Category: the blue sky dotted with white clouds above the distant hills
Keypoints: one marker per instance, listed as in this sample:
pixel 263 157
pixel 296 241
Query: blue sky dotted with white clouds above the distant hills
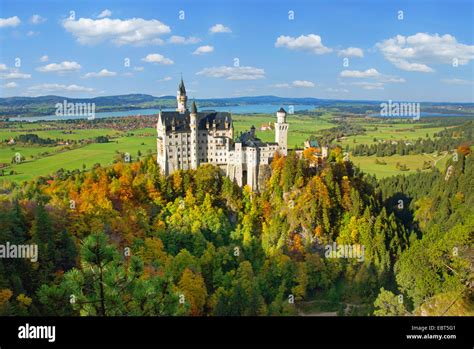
pixel 327 49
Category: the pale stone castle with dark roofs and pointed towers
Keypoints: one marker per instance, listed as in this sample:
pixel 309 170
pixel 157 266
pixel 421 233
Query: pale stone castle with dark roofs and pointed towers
pixel 188 138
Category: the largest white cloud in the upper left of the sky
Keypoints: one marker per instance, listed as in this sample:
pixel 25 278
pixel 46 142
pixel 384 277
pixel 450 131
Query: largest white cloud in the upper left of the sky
pixel 135 31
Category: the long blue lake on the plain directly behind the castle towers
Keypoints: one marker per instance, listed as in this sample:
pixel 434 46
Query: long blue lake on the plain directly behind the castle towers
pixel 236 109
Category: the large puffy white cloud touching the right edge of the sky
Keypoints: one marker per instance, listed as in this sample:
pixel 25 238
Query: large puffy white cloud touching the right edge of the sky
pixel 417 52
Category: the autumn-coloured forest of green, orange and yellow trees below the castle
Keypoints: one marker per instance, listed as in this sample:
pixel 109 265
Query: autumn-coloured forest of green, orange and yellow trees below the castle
pixel 194 243
